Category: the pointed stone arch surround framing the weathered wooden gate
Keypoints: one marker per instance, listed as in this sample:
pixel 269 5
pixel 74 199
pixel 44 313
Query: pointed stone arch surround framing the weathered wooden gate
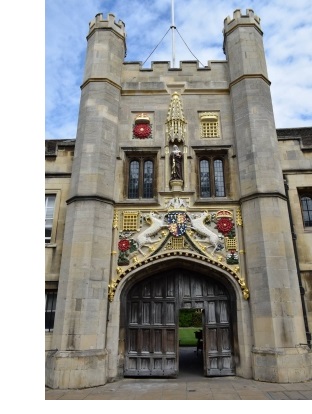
pixel 240 318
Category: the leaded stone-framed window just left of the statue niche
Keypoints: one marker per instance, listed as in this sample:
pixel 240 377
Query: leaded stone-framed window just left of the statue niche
pixel 141 181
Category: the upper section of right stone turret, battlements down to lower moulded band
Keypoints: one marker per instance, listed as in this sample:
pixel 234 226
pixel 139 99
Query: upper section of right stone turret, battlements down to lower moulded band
pixel 252 105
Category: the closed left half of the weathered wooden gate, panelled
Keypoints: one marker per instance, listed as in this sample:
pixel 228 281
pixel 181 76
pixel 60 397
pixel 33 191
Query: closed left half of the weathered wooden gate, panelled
pixel 151 329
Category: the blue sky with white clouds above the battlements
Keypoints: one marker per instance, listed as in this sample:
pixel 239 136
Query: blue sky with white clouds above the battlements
pixel 287 40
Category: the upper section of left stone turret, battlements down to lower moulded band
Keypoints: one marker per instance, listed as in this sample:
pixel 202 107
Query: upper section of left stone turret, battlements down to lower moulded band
pixel 98 115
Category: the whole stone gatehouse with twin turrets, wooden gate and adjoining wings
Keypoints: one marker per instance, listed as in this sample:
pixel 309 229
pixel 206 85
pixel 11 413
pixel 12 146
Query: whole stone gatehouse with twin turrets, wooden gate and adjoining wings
pixel 178 193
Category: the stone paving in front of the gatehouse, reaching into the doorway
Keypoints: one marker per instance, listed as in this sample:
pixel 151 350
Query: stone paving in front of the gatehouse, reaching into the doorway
pixel 190 385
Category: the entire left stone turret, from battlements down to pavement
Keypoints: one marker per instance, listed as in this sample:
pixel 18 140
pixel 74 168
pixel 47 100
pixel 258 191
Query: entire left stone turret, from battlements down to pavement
pixel 82 301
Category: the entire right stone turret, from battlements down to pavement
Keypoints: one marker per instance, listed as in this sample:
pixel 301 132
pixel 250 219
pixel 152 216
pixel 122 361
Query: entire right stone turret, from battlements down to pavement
pixel 276 311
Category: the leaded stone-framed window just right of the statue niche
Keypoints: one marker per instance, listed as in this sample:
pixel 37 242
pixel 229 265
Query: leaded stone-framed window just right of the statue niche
pixel 211 177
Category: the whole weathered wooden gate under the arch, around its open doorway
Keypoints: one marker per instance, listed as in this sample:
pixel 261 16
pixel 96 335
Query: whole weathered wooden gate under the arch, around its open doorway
pixel 152 345
